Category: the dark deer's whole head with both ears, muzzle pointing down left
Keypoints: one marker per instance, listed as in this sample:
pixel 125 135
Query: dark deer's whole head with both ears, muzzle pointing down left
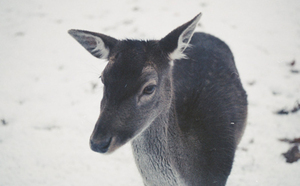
pixel 137 82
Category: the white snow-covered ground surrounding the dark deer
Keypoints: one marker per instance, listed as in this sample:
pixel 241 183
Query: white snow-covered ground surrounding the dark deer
pixel 50 91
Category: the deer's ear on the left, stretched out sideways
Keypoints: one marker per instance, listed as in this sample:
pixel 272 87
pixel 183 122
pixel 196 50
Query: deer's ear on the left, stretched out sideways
pixel 99 45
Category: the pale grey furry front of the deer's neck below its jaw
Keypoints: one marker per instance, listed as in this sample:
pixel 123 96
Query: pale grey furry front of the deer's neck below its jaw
pixel 152 151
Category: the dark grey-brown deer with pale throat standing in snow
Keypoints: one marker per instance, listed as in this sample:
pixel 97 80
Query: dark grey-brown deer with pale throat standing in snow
pixel 178 100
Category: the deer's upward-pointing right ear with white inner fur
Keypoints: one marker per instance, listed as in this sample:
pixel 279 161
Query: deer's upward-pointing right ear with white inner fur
pixel 178 40
